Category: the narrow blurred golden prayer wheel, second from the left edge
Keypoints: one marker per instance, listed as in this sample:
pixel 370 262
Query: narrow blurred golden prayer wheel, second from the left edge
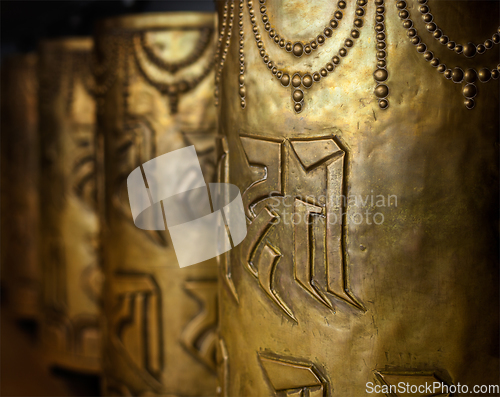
pixel 69 223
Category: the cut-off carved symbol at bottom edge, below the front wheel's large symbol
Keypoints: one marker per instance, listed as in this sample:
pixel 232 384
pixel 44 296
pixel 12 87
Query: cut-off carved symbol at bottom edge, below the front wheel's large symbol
pixel 292 378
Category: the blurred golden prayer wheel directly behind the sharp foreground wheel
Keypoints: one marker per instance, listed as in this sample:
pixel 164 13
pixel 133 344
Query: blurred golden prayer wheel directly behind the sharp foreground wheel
pixel 155 84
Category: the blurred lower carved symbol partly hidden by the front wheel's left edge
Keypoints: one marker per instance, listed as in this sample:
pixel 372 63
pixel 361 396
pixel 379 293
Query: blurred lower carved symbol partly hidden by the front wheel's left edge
pixel 199 336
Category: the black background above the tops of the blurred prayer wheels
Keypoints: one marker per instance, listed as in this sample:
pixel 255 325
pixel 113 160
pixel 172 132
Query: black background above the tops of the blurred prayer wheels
pixel 24 23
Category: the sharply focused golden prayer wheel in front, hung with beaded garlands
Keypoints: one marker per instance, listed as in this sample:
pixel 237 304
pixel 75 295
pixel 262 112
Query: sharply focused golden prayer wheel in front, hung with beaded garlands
pixel 363 136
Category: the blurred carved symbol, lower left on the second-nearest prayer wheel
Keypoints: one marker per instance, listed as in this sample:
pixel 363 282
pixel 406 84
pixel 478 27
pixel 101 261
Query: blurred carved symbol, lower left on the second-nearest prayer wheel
pixel 136 325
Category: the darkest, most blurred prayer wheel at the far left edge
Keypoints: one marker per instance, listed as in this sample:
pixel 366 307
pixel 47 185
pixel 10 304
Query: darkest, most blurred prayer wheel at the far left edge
pixel 20 265
